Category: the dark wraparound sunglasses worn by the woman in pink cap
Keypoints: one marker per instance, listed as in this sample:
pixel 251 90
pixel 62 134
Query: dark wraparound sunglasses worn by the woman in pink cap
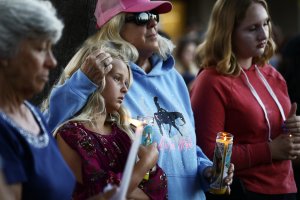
pixel 142 18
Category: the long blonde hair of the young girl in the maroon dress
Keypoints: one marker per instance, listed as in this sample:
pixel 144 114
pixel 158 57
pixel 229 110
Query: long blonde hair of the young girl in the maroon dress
pixel 95 104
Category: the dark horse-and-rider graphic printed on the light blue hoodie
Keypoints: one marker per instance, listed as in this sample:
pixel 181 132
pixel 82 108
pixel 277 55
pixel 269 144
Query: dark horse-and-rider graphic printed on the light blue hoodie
pixel 169 118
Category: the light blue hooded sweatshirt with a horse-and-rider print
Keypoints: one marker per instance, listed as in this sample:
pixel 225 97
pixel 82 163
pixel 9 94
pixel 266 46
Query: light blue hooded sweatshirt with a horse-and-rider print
pixel 163 95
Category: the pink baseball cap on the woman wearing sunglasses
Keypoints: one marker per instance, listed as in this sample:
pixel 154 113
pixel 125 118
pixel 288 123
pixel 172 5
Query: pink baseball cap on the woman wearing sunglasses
pixel 107 9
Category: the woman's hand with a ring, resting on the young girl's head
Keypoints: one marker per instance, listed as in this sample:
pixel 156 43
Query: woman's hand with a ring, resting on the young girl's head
pixel 96 66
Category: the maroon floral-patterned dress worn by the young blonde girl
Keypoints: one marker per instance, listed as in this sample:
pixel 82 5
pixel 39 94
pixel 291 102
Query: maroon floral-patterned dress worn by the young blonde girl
pixel 103 161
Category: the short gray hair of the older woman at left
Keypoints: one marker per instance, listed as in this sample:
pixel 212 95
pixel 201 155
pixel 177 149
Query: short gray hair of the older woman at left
pixel 26 19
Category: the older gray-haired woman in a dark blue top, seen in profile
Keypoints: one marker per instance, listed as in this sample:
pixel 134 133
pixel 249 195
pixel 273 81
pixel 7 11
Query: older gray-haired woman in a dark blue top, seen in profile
pixel 32 164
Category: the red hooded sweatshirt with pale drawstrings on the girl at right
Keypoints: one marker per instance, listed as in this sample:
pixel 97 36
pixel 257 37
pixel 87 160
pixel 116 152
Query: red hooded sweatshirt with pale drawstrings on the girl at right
pixel 225 103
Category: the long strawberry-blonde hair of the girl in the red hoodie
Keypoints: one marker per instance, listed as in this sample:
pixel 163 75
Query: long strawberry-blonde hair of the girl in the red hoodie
pixel 216 50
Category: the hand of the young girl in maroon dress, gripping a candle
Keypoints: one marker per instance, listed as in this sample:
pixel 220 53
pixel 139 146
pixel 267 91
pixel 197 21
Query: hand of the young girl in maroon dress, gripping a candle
pixel 148 155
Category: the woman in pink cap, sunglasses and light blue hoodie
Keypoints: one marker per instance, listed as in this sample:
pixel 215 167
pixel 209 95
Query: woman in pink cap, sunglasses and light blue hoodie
pixel 158 90
